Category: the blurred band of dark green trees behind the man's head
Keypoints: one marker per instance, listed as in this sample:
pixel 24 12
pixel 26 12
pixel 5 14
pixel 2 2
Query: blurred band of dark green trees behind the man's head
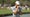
pixel 12 2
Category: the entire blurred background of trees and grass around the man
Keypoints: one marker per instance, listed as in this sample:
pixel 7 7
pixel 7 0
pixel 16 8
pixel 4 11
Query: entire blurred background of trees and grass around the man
pixel 6 4
